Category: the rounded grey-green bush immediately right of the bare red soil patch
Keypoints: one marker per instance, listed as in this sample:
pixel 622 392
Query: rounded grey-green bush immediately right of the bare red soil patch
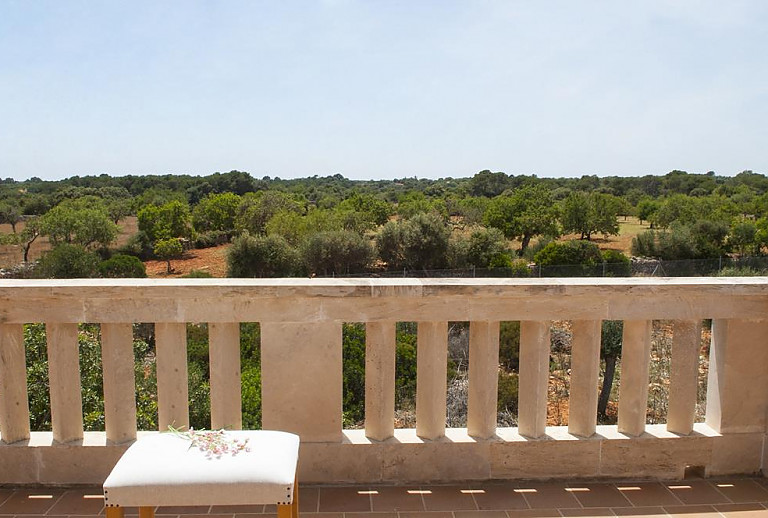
pixel 269 256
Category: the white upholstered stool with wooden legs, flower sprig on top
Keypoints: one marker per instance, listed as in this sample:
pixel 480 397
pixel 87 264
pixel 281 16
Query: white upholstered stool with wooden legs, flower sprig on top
pixel 165 470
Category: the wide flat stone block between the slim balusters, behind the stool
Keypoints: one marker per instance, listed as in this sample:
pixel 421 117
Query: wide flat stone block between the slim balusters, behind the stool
pixel 301 379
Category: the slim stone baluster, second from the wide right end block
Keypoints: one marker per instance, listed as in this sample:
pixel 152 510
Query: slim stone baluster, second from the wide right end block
pixel 633 387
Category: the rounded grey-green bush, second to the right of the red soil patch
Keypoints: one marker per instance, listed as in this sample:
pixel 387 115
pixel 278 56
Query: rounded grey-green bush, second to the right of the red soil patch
pixel 338 252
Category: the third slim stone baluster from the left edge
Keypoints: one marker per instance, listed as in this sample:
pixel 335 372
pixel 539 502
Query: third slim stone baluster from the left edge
pixel 119 382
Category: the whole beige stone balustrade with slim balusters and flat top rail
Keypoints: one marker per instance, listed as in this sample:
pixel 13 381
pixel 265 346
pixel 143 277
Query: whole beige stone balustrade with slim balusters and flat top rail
pixel 301 347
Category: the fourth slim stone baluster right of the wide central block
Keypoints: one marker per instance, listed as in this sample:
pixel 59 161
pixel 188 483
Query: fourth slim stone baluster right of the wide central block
pixel 534 378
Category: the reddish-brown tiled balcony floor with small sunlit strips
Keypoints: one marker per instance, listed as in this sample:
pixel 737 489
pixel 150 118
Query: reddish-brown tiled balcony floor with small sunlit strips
pixel 729 498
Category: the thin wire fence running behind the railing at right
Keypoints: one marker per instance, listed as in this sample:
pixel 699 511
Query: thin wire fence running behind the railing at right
pixel 635 268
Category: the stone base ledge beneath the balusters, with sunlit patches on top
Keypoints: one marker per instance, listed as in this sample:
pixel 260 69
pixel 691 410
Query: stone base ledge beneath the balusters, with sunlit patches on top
pixel 406 458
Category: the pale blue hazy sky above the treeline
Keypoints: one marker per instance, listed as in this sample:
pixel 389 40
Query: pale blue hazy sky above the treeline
pixel 382 89
